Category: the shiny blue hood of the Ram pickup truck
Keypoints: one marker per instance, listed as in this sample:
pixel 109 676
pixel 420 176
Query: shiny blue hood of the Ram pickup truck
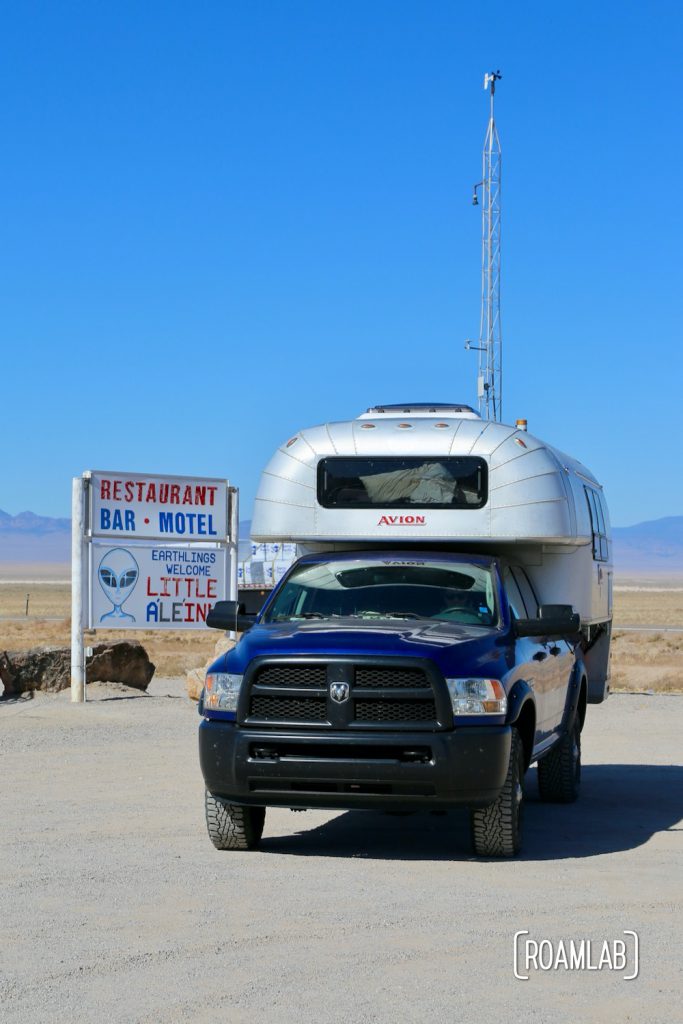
pixel 454 648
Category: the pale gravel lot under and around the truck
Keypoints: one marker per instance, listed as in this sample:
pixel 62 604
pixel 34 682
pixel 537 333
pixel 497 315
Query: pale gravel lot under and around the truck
pixel 115 907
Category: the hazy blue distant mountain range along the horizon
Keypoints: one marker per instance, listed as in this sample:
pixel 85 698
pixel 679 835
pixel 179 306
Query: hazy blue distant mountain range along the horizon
pixel 649 547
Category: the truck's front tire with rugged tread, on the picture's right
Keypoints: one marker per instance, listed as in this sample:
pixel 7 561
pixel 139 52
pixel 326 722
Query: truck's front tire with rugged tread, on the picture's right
pixel 496 830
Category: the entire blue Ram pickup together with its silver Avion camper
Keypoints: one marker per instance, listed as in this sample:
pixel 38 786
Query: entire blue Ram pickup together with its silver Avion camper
pixel 445 628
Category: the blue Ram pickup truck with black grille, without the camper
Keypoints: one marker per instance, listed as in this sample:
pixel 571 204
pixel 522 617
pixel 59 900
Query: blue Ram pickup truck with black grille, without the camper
pixel 403 680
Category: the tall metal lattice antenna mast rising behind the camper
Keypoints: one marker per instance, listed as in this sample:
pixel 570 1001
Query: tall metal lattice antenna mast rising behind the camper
pixel 490 378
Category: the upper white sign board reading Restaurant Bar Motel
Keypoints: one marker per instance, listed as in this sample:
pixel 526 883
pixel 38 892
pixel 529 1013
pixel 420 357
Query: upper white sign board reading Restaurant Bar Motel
pixel 137 505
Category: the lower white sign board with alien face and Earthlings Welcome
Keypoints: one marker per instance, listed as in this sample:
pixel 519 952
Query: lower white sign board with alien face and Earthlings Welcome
pixel 154 586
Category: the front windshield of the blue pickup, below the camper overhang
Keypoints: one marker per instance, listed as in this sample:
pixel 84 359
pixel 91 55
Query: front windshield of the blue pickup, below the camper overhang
pixel 373 589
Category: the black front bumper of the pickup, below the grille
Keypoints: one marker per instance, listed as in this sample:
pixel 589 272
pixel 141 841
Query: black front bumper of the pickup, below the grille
pixel 288 769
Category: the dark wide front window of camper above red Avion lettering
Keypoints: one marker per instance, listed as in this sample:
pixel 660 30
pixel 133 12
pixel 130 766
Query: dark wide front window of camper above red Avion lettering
pixel 397 482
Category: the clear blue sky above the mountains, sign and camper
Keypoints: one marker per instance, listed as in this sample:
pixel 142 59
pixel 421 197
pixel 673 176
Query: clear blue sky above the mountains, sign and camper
pixel 225 222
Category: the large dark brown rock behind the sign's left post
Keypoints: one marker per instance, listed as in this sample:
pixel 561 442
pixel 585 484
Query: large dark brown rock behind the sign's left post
pixel 50 668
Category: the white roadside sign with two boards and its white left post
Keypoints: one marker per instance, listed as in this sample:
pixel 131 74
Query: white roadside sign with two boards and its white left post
pixel 149 552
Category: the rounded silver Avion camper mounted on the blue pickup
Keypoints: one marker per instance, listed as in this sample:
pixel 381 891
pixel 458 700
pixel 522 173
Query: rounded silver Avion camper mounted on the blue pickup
pixel 439 476
